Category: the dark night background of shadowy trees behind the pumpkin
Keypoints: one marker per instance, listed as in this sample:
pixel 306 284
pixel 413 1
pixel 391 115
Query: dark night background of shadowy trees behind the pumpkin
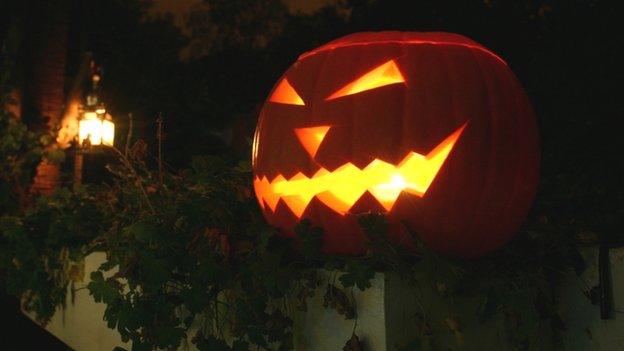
pixel 209 76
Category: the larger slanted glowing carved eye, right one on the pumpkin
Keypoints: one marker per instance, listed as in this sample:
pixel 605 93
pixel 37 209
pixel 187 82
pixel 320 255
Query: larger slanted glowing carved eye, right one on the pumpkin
pixel 386 74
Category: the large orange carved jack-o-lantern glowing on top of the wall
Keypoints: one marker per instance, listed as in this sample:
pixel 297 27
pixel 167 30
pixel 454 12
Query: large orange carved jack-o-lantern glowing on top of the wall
pixel 432 129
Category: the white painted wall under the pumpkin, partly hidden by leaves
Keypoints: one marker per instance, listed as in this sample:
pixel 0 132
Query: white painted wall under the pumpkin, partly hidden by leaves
pixel 386 315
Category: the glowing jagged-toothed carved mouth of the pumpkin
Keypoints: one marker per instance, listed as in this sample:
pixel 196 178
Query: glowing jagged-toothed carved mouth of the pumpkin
pixel 341 189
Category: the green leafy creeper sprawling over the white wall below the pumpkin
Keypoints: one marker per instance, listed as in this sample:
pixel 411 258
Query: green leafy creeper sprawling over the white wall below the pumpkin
pixel 192 259
